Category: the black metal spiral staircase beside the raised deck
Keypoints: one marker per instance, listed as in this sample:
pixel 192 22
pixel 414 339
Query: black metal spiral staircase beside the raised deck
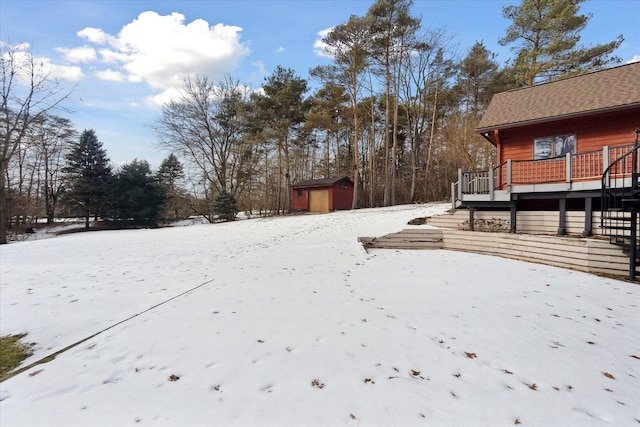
pixel 620 205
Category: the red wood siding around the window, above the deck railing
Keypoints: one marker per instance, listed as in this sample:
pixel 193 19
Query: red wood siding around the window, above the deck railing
pixel 592 133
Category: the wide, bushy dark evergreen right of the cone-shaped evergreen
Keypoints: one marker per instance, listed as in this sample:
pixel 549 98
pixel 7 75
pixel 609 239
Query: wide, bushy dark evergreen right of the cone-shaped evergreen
pixel 135 194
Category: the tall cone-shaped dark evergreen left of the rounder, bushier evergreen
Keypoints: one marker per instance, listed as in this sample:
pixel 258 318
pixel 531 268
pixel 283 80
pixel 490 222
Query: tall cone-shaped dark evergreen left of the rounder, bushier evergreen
pixel 88 174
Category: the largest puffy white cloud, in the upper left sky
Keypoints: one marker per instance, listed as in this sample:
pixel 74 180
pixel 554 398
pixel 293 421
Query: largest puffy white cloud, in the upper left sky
pixel 162 50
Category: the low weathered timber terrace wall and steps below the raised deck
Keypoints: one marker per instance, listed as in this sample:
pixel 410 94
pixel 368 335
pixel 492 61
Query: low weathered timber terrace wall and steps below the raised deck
pixel 583 254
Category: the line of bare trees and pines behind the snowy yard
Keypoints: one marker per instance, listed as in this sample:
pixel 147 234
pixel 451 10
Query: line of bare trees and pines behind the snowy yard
pixel 395 110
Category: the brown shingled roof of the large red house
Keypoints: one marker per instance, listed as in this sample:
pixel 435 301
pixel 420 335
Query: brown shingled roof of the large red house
pixel 600 91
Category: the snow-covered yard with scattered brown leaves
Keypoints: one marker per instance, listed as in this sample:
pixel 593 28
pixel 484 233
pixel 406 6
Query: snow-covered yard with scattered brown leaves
pixel 289 321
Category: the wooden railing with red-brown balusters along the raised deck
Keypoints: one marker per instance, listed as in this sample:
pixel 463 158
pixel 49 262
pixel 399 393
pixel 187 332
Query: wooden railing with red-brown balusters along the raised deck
pixel 587 166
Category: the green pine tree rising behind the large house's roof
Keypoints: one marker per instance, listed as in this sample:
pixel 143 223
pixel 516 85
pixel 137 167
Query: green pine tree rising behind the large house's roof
pixel 545 34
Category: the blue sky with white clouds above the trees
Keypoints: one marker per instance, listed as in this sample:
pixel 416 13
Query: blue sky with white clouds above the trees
pixel 126 57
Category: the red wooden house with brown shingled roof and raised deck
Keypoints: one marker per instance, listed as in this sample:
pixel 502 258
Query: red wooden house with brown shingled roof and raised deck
pixel 564 146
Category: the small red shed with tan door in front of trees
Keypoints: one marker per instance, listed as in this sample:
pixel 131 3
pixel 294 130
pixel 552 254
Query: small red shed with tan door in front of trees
pixel 322 195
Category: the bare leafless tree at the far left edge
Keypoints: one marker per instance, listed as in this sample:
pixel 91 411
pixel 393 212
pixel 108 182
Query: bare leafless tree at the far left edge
pixel 28 92
